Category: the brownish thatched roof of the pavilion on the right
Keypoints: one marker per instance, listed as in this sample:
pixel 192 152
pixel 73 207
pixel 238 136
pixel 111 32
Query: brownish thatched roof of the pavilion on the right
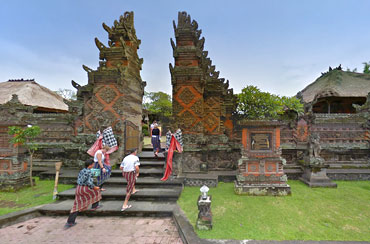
pixel 337 83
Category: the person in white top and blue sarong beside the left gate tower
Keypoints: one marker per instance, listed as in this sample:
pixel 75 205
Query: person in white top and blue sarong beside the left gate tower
pixel 105 168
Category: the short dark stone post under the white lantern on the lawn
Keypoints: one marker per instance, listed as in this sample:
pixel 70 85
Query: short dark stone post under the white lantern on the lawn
pixel 204 221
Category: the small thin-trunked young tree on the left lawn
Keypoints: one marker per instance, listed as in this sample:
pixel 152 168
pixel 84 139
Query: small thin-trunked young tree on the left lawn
pixel 26 138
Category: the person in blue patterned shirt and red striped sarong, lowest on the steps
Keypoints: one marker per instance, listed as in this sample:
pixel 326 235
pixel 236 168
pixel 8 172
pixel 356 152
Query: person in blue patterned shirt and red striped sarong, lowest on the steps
pixel 86 193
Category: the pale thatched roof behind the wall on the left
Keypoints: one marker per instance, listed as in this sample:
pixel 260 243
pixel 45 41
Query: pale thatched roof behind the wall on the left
pixel 32 94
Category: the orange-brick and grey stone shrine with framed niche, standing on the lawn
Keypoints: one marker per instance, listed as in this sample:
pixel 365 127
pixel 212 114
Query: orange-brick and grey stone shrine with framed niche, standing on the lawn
pixel 260 169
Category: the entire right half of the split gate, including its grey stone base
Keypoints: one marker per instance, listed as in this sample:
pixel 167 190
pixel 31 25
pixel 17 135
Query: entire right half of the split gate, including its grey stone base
pixel 202 103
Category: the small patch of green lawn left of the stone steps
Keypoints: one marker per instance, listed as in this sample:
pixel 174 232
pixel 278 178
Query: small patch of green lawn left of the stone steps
pixel 27 198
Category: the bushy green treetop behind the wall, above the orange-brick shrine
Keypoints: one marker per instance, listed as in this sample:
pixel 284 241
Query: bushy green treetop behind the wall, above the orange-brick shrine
pixel 255 104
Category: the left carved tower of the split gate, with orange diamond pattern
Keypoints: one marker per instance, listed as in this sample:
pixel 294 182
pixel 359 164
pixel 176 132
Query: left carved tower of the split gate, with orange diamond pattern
pixel 113 95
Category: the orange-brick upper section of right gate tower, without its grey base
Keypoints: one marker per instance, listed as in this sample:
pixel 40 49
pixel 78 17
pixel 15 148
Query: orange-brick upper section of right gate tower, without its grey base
pixel 202 102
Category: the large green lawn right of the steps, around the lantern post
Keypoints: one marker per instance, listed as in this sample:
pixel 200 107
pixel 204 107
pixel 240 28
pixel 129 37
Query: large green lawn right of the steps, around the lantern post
pixel 309 214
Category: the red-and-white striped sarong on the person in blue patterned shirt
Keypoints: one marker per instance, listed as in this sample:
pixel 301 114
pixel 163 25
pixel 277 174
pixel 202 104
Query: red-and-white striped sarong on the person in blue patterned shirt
pixel 84 196
